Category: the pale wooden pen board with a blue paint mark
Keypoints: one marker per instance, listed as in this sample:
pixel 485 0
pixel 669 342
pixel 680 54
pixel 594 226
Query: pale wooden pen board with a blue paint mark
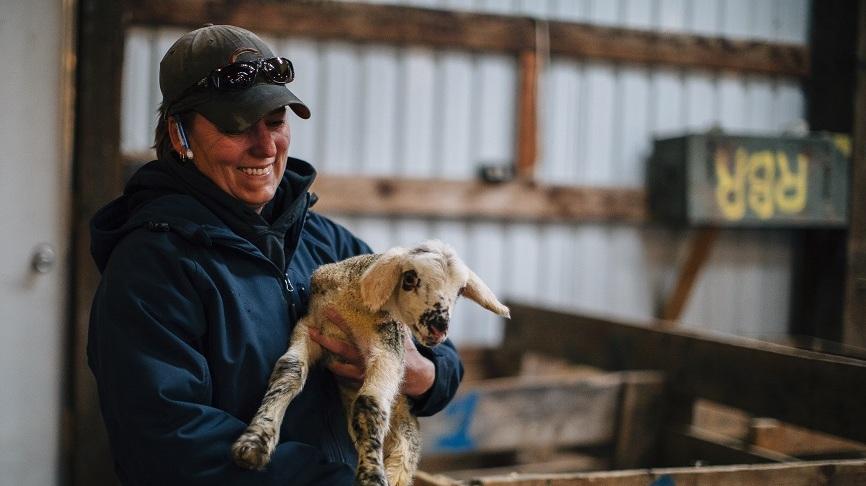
pixel 515 413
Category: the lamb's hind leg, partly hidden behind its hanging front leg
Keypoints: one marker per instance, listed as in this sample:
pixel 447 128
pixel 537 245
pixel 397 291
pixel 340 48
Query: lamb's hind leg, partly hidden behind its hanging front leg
pixel 402 445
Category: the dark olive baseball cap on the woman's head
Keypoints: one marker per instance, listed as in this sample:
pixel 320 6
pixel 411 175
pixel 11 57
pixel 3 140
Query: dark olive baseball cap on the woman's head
pixel 196 54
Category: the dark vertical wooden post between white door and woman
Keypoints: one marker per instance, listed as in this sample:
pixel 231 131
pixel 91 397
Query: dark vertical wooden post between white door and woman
pixel 97 180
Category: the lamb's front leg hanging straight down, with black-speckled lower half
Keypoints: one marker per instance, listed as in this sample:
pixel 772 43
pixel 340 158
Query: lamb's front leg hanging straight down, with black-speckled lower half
pixel 371 410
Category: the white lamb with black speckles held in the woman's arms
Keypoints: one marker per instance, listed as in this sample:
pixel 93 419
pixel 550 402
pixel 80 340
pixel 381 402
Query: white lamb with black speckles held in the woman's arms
pixel 383 296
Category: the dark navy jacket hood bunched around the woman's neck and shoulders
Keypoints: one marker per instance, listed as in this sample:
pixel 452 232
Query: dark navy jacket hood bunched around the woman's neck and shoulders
pixel 165 194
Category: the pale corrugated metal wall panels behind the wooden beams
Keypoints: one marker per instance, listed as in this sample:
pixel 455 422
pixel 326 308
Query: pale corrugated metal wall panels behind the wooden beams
pixel 419 112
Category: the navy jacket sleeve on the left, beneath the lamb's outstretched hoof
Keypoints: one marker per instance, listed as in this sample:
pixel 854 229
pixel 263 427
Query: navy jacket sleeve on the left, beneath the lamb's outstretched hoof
pixel 155 387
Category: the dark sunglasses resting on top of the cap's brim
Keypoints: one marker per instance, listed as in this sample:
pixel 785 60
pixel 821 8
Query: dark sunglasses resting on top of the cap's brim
pixel 243 74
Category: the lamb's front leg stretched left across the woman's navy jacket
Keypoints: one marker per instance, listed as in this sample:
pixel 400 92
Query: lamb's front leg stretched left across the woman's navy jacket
pixel 254 448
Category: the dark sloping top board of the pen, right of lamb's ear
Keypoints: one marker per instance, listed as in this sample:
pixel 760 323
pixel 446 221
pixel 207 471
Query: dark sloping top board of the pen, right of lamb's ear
pixel 814 390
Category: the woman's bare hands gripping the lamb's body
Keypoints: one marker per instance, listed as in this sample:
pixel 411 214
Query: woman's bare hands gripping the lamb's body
pixel 349 368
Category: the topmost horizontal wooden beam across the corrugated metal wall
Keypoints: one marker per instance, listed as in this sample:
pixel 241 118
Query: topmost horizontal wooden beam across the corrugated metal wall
pixel 473 31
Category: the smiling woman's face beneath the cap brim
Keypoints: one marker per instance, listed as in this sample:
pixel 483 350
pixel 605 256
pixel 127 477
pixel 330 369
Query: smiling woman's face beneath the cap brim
pixel 248 165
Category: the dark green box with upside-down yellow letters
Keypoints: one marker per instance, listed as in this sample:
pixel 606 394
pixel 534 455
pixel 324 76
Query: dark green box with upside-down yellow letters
pixel 748 181
